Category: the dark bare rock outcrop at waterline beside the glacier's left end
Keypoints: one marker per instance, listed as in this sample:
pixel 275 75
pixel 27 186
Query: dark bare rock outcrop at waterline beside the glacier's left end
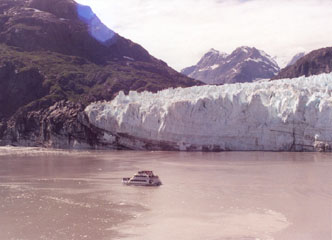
pixel 63 125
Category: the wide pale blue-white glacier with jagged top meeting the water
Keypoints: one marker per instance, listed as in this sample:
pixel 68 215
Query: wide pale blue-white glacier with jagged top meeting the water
pixel 283 115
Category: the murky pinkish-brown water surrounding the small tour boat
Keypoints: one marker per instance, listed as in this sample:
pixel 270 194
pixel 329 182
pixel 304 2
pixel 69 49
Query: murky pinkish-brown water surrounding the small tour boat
pixel 49 194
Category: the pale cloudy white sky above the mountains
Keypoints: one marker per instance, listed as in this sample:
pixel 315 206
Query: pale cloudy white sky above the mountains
pixel 180 31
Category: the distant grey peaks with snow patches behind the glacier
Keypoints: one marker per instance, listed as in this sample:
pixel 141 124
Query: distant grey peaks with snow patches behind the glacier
pixel 244 64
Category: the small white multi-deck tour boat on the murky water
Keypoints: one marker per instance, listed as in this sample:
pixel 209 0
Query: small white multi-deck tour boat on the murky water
pixel 143 178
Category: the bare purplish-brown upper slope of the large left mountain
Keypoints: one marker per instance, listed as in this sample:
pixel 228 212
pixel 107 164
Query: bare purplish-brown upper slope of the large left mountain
pixel 64 27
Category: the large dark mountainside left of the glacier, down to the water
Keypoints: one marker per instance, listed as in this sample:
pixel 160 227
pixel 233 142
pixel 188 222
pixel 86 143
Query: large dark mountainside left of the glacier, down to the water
pixel 56 58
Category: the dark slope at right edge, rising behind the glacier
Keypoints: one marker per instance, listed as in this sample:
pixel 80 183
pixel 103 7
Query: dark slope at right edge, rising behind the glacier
pixel 314 63
